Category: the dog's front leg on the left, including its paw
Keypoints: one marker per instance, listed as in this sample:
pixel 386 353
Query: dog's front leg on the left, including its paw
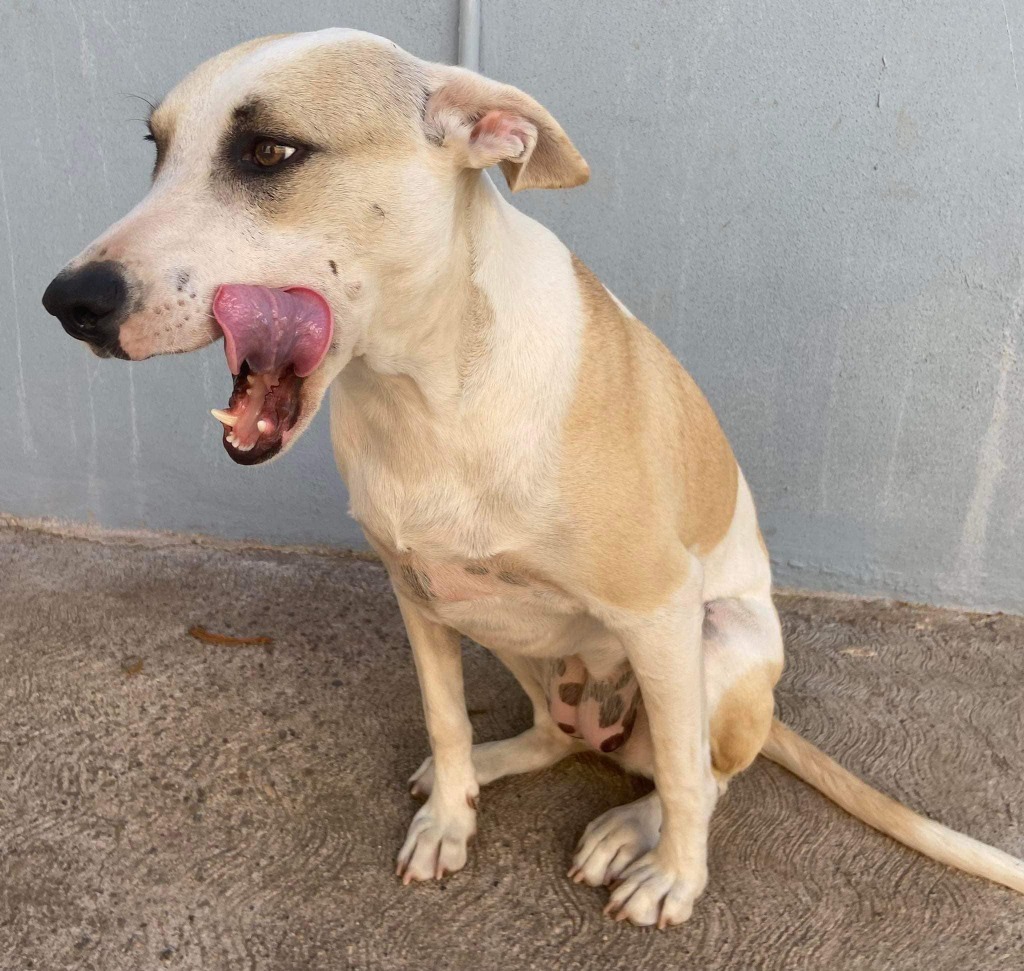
pixel 443 827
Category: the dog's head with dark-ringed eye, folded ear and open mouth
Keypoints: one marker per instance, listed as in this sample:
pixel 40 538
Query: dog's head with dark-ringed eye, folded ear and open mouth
pixel 303 186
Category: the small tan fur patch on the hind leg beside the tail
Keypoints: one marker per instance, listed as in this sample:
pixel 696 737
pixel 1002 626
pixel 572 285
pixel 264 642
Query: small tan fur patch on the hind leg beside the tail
pixel 743 720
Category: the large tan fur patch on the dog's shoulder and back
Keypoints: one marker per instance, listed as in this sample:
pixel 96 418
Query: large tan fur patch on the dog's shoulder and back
pixel 648 470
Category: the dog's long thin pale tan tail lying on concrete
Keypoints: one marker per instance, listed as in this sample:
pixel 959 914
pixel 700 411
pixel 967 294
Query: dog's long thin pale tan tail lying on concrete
pixel 948 847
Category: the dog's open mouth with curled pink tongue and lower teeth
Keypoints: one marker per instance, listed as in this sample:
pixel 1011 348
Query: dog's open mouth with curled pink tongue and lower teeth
pixel 274 340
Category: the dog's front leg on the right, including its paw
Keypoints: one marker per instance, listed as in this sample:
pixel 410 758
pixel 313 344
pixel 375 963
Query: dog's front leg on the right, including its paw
pixel 665 652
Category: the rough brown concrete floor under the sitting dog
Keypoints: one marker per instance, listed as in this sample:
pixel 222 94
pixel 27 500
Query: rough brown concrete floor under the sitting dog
pixel 166 804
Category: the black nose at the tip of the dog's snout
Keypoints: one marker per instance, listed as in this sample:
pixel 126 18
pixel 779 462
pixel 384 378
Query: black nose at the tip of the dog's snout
pixel 91 303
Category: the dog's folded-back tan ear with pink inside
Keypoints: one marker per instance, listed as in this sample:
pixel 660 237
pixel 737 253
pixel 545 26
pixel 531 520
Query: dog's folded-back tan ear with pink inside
pixel 485 123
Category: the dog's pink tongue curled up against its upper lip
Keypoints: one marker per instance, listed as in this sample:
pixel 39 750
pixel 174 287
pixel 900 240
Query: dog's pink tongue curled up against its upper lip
pixel 273 328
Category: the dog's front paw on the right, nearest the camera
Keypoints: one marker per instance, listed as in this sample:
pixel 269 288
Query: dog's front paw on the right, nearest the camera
pixel 653 893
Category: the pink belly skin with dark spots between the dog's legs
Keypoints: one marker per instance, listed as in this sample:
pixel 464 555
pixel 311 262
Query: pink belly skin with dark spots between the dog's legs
pixel 601 712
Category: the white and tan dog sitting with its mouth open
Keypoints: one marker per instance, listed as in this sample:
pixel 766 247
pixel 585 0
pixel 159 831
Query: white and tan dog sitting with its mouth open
pixel 534 468
